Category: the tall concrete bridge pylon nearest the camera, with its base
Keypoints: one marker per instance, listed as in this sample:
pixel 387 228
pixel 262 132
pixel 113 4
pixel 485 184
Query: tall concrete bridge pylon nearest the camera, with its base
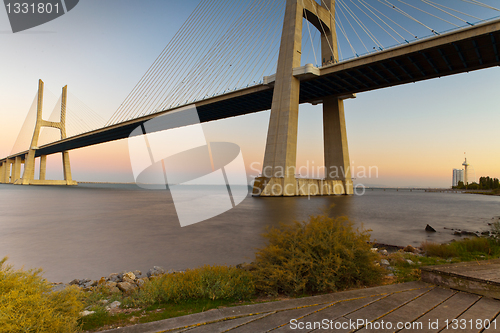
pixel 279 168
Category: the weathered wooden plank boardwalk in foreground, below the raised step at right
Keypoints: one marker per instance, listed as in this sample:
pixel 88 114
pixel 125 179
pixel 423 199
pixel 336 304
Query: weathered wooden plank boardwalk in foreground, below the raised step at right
pixel 407 307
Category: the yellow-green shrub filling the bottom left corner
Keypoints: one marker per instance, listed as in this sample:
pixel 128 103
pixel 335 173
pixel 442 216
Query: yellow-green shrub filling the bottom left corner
pixel 28 305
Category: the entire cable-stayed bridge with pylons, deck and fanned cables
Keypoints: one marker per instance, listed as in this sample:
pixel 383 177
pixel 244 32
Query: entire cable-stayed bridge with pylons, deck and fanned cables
pixel 347 55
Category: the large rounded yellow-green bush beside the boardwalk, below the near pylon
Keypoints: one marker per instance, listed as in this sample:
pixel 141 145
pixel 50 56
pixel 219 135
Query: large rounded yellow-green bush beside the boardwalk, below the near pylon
pixel 323 255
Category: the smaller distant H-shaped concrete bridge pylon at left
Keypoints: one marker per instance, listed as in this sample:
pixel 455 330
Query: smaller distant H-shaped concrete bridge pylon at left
pixel 28 177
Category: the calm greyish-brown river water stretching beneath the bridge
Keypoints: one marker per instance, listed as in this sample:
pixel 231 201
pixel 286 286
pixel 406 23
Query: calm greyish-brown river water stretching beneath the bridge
pixel 91 231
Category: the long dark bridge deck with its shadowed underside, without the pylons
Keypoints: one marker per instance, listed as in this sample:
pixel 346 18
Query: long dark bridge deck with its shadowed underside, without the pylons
pixel 461 51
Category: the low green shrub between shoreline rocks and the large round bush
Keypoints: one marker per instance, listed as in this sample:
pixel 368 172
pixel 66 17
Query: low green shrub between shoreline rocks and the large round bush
pixel 207 282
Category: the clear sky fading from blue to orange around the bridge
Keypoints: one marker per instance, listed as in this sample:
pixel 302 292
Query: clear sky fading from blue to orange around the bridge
pixel 413 134
